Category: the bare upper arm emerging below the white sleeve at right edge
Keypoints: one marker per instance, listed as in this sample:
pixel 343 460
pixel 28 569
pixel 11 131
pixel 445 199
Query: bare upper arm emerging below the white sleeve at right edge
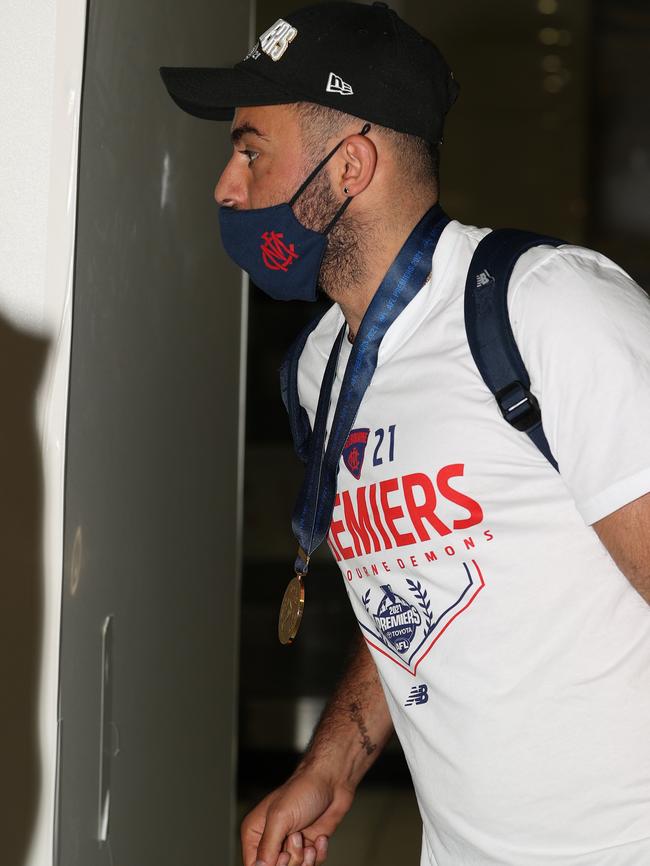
pixel 626 535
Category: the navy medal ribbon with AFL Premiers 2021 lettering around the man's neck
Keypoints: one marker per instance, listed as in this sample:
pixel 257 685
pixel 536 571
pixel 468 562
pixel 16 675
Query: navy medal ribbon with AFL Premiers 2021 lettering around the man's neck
pixel 408 273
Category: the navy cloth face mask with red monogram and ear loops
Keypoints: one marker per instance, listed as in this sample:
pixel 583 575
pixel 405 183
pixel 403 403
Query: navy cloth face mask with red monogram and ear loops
pixel 279 254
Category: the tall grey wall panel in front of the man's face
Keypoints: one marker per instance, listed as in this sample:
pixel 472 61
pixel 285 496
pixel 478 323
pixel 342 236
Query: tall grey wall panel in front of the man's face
pixel 151 499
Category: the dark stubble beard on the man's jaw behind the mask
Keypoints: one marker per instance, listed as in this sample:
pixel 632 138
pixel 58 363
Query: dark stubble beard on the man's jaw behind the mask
pixel 343 265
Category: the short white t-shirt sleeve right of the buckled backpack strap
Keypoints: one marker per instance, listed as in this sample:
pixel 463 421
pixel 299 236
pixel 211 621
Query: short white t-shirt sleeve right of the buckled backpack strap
pixel 583 329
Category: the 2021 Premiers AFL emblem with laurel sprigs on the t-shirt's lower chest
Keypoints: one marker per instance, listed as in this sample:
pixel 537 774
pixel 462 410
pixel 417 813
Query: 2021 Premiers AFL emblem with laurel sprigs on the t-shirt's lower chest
pixel 405 619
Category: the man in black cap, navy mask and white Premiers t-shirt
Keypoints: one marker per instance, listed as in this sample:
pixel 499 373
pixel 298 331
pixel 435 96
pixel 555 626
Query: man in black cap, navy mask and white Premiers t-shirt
pixel 503 606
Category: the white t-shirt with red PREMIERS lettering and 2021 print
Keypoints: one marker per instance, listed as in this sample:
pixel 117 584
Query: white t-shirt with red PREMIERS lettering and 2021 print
pixel 514 655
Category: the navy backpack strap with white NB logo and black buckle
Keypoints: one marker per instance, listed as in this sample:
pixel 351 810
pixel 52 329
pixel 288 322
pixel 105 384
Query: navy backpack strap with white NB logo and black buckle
pixel 489 331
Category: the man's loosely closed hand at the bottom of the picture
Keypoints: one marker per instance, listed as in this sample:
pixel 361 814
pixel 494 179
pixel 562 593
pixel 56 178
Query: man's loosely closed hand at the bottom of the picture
pixel 296 819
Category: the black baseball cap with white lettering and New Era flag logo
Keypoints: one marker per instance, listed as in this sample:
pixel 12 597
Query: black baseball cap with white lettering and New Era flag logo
pixel 360 59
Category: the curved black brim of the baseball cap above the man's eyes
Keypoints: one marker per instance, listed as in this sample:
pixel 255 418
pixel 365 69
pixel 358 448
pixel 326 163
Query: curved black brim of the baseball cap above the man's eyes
pixel 213 94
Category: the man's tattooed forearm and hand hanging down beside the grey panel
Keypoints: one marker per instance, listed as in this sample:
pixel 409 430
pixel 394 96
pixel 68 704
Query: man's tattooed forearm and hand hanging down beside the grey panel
pixel 299 817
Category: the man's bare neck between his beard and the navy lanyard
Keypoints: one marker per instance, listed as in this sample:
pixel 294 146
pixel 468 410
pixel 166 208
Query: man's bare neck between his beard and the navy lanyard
pixel 354 300
